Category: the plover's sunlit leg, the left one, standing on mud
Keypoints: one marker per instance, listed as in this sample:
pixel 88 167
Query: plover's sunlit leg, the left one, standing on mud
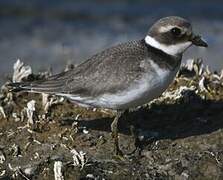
pixel 114 129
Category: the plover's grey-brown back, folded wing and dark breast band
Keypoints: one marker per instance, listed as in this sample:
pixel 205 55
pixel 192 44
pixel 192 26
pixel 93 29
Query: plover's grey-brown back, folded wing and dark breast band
pixel 110 71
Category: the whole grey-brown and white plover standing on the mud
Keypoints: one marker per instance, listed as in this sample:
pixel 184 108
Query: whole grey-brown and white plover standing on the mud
pixel 127 75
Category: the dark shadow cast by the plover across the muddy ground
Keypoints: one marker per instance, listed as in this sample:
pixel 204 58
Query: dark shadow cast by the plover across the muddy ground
pixel 168 121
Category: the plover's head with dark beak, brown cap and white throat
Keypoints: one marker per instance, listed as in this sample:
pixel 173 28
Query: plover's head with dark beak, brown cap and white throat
pixel 173 35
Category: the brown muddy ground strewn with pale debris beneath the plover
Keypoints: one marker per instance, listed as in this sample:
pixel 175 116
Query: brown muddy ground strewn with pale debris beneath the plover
pixel 181 136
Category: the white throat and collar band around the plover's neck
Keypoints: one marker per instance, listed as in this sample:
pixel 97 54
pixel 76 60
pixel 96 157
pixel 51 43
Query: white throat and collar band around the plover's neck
pixel 173 50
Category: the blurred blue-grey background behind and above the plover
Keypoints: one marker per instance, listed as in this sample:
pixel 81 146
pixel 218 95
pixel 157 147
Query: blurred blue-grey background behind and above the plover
pixel 52 33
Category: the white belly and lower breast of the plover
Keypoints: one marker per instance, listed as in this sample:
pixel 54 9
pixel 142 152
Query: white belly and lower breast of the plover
pixel 149 87
